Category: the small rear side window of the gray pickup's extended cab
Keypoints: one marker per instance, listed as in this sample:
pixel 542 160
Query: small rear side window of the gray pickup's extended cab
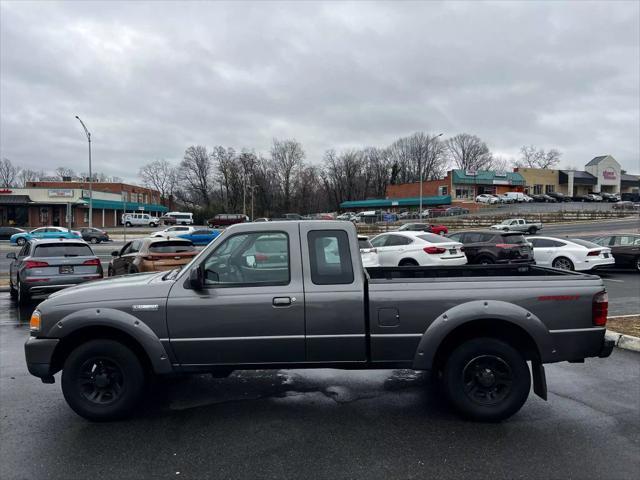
pixel 330 257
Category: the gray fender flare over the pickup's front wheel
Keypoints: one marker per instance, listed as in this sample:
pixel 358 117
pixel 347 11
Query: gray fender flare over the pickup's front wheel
pixel 119 320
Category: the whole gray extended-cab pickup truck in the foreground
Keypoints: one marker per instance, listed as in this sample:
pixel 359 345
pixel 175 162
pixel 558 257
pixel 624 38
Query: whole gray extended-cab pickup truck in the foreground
pixel 294 294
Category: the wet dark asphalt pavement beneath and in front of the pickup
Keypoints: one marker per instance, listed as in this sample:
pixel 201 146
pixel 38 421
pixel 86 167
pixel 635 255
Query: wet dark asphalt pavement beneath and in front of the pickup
pixel 319 424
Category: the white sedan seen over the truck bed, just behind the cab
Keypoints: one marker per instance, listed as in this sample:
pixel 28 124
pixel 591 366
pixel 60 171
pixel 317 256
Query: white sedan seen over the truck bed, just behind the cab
pixel 417 248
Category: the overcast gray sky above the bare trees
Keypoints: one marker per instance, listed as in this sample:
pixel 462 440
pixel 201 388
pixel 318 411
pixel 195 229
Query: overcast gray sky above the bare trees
pixel 150 79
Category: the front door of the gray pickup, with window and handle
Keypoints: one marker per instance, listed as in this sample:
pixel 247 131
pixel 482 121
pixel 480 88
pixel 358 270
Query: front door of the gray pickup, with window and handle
pixel 251 309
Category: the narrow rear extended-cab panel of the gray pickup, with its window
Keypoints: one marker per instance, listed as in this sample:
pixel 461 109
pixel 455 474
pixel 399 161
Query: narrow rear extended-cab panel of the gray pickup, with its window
pixel 334 293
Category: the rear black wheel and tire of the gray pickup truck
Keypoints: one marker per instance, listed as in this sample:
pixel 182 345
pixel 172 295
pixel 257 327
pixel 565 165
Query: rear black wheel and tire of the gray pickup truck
pixel 486 379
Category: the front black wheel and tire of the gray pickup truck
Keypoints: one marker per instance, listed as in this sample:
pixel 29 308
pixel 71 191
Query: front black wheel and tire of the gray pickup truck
pixel 113 391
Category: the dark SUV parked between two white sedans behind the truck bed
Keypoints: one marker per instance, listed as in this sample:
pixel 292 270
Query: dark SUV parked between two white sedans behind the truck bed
pixel 487 247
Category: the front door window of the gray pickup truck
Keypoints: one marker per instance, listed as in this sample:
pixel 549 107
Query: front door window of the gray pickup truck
pixel 260 258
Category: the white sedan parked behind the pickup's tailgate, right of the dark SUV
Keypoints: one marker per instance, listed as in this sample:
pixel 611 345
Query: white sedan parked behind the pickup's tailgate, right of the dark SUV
pixel 570 254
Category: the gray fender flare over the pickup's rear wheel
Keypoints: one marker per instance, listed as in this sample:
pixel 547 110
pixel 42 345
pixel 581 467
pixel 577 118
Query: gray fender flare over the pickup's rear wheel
pixel 478 310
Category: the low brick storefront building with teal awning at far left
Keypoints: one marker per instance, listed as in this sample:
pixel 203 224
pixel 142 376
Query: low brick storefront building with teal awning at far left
pixel 69 207
